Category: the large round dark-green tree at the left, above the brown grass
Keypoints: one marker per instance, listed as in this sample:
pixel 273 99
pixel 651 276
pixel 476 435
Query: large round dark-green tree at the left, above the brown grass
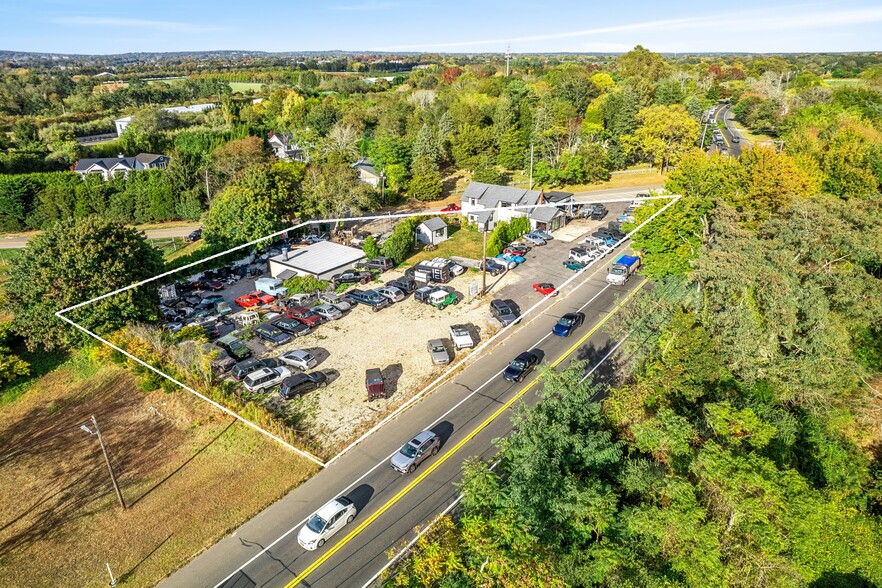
pixel 60 268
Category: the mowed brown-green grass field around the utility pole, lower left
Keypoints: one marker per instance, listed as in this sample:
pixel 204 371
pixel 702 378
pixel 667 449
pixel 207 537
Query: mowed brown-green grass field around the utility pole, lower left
pixel 189 475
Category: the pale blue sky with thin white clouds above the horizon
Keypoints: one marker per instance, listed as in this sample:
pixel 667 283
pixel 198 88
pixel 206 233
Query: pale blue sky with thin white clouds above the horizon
pixel 451 26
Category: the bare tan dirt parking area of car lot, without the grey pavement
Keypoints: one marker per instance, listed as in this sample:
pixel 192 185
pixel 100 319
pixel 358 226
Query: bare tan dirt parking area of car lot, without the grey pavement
pixel 393 340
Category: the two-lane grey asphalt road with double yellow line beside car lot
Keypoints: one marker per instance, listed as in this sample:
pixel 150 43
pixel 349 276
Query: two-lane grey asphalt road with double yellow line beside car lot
pixel 467 412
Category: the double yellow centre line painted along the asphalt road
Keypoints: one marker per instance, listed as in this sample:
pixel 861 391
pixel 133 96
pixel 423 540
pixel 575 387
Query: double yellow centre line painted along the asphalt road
pixel 437 463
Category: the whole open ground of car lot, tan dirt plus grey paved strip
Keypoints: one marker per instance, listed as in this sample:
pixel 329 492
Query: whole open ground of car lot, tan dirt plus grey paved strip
pixel 394 339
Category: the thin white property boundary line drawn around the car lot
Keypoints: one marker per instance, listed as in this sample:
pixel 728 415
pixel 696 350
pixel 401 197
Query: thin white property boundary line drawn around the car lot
pixel 60 314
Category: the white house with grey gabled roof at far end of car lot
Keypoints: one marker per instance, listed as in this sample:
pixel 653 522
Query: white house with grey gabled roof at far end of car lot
pixel 487 204
